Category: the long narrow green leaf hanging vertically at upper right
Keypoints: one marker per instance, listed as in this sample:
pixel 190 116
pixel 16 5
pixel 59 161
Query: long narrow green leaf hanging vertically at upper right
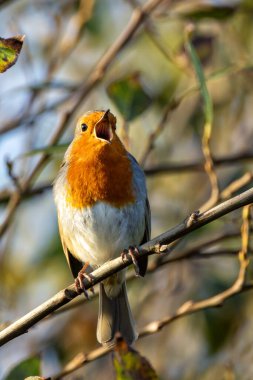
pixel 208 105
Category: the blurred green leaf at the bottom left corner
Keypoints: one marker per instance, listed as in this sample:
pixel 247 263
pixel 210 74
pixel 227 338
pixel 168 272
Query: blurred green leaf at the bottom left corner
pixel 28 367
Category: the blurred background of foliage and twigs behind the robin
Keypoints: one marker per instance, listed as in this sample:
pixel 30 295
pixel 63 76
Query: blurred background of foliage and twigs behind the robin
pixel 151 87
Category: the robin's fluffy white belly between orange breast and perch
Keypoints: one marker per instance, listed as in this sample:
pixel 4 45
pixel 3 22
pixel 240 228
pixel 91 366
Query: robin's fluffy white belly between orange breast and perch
pixel 100 233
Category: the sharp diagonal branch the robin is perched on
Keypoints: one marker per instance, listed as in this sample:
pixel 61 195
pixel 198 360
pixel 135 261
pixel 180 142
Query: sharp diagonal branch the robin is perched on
pixel 155 245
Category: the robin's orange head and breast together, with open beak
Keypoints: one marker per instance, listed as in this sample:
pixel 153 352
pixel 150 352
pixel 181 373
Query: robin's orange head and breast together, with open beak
pixel 98 165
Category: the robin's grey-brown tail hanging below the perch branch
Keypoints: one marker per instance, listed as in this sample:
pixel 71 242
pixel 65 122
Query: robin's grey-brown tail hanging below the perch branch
pixel 115 315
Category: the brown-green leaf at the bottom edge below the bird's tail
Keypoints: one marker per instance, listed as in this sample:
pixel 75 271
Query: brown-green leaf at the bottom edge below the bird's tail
pixel 129 364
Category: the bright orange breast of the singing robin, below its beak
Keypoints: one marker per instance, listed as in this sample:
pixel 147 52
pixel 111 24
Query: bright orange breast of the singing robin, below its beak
pixel 99 172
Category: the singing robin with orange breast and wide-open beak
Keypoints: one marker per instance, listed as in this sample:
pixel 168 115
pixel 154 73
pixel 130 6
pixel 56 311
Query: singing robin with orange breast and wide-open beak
pixel 103 210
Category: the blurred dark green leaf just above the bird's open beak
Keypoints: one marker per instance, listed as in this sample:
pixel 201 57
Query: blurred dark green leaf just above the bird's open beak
pixel 129 96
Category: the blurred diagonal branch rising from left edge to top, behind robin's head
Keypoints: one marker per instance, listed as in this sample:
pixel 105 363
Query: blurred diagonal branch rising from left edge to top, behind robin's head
pixel 138 16
